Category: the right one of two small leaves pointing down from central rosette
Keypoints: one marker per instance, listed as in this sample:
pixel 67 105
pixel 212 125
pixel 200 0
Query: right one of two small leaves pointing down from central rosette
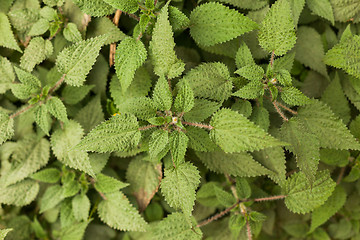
pixel 178 144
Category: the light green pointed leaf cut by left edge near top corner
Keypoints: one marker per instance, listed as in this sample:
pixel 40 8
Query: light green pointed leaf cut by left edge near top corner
pixel 6 35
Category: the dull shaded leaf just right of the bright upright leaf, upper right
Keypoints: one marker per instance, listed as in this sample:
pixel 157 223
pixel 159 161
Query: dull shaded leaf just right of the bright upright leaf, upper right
pixel 309 40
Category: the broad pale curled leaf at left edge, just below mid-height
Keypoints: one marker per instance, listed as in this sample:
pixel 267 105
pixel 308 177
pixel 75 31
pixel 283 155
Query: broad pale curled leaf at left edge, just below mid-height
pixel 31 154
